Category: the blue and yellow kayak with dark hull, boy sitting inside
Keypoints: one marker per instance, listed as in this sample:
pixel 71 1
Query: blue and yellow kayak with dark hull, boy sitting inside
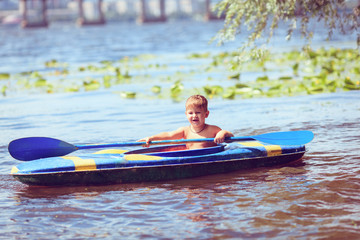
pixel 114 166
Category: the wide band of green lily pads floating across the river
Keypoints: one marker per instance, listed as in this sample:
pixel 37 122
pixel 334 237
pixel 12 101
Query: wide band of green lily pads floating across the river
pixel 280 74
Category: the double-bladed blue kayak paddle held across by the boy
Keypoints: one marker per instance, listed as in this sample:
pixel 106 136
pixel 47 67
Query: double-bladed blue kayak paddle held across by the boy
pixel 31 148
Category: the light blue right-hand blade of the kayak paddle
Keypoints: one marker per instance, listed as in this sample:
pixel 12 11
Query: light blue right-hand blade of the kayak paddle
pixel 286 138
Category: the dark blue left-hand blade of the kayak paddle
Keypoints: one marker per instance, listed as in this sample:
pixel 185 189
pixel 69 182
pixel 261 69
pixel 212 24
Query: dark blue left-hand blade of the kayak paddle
pixel 31 148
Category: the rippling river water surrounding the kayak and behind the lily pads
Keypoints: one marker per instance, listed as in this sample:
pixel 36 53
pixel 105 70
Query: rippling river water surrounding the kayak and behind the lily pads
pixel 317 198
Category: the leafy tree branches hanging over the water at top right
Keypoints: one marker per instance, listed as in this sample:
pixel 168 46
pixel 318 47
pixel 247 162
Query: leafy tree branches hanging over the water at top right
pixel 262 18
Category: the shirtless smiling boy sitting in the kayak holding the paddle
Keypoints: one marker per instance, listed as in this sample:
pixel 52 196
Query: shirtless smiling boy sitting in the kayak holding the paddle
pixel 196 111
